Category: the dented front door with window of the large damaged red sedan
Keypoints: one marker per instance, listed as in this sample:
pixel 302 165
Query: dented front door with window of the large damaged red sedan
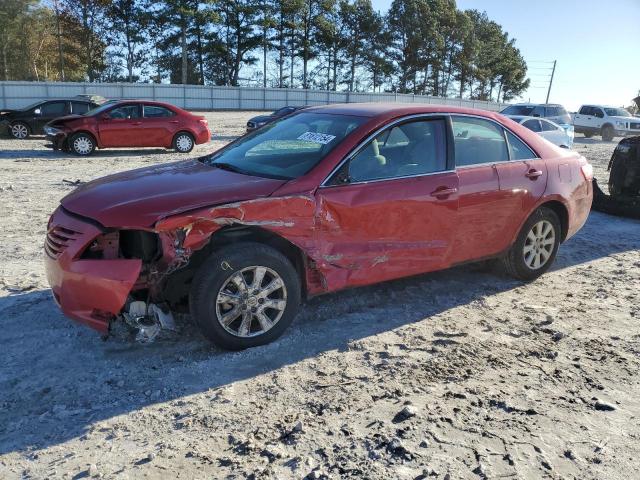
pixel 390 210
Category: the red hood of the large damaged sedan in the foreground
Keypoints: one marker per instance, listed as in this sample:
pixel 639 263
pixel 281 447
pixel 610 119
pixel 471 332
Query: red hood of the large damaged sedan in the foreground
pixel 139 198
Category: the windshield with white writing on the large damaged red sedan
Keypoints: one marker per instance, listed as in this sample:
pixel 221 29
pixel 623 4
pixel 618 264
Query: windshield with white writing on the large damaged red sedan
pixel 288 148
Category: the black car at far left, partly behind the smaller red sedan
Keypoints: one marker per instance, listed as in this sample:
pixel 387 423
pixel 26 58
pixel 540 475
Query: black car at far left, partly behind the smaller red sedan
pixel 31 120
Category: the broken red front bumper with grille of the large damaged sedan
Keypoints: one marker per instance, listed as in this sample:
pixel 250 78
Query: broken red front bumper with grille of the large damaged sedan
pixel 90 291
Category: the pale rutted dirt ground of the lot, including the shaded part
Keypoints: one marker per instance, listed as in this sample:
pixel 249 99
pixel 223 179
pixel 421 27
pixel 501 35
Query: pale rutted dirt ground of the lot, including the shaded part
pixel 458 374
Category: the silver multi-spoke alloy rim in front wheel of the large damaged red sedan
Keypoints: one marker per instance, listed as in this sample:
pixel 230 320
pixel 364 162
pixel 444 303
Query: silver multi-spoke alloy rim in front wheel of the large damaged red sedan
pixel 251 301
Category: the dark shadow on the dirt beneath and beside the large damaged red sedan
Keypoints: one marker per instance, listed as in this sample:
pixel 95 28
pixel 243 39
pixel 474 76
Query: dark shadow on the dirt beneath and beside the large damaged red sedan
pixel 57 378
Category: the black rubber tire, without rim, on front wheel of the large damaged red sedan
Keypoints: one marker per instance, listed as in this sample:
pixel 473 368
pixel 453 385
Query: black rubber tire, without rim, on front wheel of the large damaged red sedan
pixel 214 276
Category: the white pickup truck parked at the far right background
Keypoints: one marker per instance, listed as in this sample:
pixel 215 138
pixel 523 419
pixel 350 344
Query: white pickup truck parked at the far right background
pixel 609 122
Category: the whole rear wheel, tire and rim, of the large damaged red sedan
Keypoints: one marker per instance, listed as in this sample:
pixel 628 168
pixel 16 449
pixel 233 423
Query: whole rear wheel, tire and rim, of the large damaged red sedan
pixel 536 246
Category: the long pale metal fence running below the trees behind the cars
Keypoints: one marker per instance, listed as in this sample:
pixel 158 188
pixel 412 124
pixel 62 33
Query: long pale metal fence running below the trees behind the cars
pixel 196 97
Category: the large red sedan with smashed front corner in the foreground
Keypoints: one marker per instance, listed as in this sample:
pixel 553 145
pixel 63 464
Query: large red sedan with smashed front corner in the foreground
pixel 329 198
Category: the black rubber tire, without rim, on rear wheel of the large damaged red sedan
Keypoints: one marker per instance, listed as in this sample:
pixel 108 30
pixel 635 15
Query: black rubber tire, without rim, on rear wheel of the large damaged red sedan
pixel 514 261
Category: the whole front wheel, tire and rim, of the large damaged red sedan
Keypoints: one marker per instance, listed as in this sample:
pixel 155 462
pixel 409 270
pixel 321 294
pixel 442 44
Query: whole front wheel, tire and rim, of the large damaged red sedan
pixel 245 295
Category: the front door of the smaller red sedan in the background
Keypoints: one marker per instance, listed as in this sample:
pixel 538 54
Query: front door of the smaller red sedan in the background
pixel 121 126
